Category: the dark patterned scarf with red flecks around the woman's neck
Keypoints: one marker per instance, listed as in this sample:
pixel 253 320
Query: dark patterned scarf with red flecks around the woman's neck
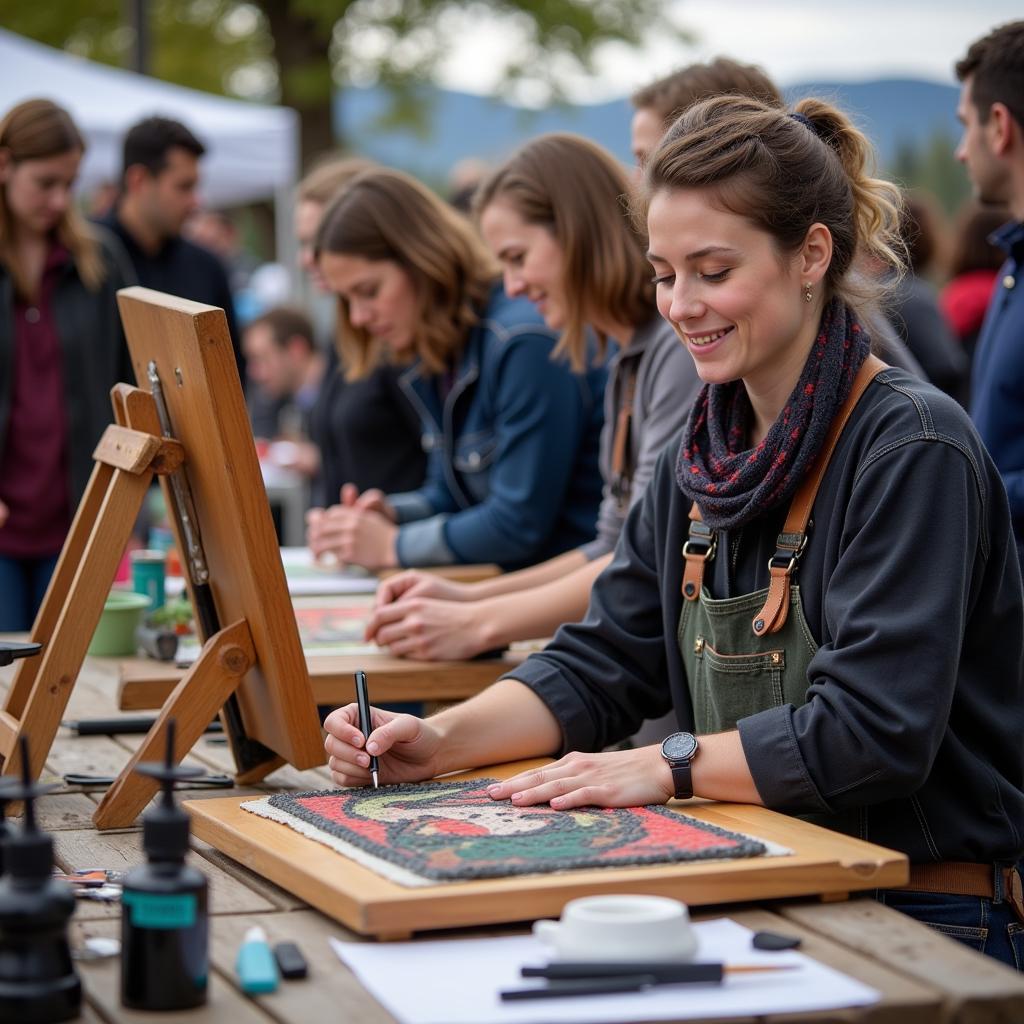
pixel 733 485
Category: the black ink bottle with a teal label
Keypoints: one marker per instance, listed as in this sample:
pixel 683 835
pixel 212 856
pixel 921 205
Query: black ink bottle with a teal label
pixel 164 923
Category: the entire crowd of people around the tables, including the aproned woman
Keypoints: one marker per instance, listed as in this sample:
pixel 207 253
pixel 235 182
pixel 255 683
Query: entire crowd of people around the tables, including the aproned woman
pixel 743 439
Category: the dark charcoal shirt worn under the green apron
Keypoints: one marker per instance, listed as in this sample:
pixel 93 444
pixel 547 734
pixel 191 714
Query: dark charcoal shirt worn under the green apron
pixel 912 734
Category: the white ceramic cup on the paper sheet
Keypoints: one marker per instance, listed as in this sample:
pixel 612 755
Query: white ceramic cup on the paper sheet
pixel 621 928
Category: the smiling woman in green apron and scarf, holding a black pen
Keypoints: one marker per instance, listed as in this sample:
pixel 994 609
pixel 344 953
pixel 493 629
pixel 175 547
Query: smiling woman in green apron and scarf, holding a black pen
pixel 862 667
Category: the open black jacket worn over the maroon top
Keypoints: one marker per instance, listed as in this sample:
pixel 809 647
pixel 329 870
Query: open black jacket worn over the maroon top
pixel 94 350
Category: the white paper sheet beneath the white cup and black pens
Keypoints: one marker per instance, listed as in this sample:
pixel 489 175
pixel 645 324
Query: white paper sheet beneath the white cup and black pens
pixel 458 982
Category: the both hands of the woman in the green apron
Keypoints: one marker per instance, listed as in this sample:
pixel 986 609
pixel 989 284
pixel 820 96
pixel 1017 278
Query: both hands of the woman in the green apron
pixel 411 750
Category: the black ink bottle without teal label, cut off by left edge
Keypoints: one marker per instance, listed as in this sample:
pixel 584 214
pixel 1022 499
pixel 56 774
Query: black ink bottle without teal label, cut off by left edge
pixel 38 982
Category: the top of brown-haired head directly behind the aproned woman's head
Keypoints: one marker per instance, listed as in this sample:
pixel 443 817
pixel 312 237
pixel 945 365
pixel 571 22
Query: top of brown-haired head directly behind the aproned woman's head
pixel 658 105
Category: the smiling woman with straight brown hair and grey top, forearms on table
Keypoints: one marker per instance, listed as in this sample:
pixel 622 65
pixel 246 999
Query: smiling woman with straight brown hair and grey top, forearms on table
pixel 554 216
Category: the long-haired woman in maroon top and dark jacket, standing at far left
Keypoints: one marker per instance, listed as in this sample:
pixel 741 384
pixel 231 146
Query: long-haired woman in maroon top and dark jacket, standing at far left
pixel 62 348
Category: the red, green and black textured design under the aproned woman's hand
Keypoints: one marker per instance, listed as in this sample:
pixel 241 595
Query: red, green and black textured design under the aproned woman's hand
pixel 455 832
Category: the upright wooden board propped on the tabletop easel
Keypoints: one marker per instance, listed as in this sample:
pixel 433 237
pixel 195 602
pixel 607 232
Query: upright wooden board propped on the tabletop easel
pixel 190 345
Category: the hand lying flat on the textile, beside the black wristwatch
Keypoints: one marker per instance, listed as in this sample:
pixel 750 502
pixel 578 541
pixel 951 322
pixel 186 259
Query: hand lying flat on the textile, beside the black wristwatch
pixel 614 779
